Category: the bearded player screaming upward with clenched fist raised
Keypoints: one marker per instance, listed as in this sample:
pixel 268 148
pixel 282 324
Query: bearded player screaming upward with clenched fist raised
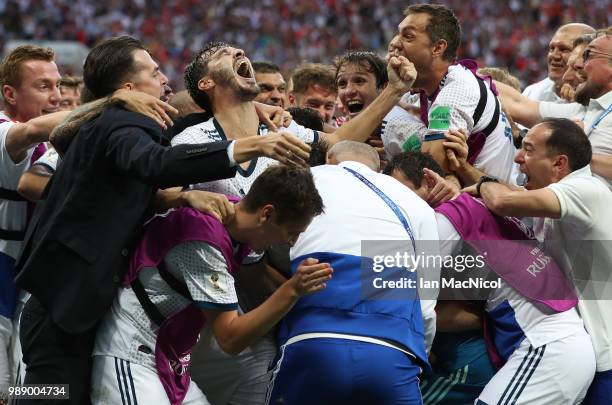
pixel 220 79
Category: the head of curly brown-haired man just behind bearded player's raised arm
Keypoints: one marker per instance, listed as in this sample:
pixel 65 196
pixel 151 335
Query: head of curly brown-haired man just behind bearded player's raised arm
pixel 314 86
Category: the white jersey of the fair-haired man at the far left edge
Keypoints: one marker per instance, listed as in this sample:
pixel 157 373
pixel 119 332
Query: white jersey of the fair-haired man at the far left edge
pixel 12 213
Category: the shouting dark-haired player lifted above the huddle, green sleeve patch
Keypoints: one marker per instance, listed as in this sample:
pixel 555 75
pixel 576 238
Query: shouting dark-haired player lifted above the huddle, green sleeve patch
pixel 453 96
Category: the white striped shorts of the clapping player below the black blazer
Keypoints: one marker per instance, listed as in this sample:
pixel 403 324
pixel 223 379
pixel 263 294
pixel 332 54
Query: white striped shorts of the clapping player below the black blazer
pixel 116 381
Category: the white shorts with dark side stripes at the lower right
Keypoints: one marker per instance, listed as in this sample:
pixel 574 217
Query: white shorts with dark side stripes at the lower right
pixel 557 373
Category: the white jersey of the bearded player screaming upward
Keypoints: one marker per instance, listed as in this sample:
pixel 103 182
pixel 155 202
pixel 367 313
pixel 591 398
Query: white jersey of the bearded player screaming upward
pixel 211 131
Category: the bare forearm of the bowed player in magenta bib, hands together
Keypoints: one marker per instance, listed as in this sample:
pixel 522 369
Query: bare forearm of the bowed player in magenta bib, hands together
pixel 244 330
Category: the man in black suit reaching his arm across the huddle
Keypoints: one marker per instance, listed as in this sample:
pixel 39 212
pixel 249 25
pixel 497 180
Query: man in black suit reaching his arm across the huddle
pixel 77 246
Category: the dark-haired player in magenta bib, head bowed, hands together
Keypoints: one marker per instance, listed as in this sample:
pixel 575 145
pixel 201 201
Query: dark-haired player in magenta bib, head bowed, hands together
pixel 201 255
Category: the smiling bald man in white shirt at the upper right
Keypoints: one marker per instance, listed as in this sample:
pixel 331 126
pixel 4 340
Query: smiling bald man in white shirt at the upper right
pixel 559 50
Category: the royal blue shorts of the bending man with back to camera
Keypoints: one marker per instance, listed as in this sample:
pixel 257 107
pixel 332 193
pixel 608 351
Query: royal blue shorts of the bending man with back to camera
pixel 332 371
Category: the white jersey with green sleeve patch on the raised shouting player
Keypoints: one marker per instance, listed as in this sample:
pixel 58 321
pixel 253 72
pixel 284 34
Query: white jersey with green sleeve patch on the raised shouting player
pixel 454 107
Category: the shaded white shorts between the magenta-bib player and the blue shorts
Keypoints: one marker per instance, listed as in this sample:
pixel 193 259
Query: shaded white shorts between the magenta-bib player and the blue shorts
pixel 232 380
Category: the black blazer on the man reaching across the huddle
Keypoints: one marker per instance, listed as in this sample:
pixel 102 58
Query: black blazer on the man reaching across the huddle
pixel 77 246
